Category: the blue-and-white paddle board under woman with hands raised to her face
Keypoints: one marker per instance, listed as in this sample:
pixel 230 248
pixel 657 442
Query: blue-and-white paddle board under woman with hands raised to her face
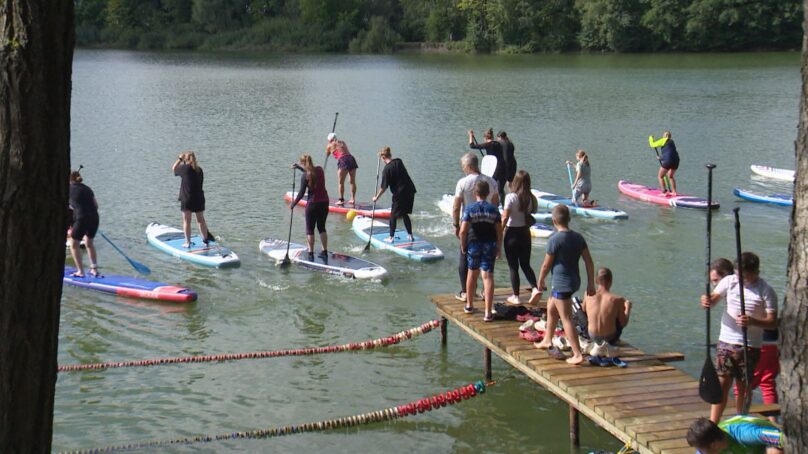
pixel 170 240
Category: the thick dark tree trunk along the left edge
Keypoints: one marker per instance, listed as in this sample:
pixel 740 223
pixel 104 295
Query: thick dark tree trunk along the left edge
pixel 36 56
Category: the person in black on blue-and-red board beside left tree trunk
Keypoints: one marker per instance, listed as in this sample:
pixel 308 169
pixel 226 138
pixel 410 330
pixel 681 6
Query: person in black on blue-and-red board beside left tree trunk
pixel 85 223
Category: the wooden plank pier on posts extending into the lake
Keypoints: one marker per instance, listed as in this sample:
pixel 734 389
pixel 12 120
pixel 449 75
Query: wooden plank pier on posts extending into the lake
pixel 648 405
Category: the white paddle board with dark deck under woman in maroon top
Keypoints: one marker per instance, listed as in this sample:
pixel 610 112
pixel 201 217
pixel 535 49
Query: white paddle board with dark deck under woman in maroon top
pixel 335 263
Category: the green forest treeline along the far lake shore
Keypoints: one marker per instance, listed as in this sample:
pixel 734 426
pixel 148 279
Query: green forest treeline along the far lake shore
pixel 463 25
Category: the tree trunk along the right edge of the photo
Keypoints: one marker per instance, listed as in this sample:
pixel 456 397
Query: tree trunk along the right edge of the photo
pixel 793 380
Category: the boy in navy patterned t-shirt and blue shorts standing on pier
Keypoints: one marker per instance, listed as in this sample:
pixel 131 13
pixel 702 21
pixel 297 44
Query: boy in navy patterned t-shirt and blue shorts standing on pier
pixel 481 240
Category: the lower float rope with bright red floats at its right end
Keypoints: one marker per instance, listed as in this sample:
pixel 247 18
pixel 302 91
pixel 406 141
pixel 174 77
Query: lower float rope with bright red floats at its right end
pixel 419 406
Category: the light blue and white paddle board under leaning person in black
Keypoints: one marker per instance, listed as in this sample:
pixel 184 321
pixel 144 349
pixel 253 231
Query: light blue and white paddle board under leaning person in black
pixel 417 249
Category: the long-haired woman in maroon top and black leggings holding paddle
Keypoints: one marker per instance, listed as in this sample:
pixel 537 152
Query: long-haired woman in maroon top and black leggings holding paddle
pixel 313 181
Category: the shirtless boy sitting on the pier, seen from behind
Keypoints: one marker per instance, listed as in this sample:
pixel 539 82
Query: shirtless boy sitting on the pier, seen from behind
pixel 607 313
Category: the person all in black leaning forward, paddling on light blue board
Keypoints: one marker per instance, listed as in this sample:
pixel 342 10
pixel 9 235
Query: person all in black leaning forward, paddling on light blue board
pixel 395 177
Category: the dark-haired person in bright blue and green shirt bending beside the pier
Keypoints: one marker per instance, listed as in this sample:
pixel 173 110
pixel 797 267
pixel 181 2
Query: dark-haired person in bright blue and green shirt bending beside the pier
pixel 739 434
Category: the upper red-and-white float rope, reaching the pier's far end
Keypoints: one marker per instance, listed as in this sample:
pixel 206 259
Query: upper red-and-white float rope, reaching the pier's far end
pixel 354 346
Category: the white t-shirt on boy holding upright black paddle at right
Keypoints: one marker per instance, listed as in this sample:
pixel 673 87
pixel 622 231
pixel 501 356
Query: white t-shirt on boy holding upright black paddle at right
pixel 759 300
